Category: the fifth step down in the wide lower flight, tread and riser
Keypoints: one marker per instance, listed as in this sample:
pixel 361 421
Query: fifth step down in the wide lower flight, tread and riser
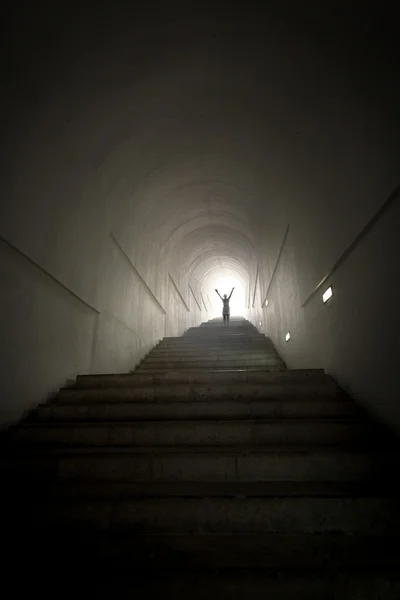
pixel 203 464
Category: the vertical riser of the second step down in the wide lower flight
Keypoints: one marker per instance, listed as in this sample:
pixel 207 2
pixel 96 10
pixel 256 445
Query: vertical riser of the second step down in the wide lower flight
pixel 199 392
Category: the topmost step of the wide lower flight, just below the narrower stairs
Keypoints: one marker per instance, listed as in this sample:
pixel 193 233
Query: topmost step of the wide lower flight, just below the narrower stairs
pixel 212 378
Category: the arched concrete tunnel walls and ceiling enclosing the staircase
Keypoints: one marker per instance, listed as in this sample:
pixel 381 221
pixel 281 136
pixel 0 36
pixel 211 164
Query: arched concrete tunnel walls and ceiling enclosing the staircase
pixel 153 153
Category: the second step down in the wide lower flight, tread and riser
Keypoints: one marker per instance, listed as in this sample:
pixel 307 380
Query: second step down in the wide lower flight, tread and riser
pixel 198 390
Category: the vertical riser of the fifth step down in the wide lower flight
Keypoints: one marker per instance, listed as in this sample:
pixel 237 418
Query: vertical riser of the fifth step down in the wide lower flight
pixel 339 466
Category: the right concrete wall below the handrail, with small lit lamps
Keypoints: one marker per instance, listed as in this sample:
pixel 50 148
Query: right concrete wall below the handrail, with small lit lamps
pixel 354 335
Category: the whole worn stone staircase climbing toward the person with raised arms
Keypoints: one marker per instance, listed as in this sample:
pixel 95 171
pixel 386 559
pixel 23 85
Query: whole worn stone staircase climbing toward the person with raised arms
pixel 213 471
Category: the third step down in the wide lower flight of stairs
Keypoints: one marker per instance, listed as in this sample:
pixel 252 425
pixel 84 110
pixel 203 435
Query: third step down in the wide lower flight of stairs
pixel 223 409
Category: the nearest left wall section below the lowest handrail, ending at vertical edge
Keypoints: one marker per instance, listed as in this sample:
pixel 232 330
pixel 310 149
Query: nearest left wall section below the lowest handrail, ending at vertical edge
pixel 47 334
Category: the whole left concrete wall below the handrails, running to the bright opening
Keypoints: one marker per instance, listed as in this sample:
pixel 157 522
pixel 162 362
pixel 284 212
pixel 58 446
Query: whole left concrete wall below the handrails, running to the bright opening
pixel 49 334
